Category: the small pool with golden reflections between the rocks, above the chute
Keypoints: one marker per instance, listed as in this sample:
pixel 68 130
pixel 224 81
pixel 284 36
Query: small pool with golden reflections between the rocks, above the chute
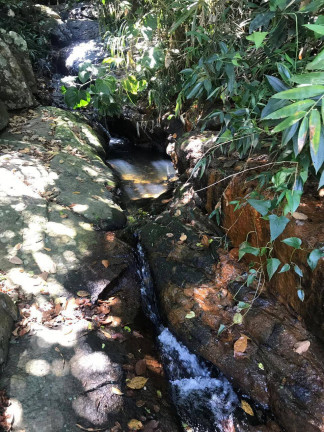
pixel 144 174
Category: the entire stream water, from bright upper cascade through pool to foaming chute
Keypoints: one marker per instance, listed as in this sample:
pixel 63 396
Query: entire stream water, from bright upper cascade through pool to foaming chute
pixel 204 399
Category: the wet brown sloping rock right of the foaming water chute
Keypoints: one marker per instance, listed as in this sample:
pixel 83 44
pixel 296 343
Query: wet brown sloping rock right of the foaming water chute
pixel 198 295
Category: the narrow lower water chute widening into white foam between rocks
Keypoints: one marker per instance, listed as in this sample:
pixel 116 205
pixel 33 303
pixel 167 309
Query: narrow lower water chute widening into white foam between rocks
pixel 204 402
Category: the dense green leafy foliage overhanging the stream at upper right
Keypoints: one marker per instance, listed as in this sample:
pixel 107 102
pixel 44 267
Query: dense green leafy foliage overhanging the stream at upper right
pixel 255 67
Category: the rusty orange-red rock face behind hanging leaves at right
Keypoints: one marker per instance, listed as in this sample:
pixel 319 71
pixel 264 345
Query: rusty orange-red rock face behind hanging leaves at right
pixel 310 231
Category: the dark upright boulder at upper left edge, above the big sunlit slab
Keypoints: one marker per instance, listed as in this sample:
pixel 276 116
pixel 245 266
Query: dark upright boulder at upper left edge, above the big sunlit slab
pixel 16 75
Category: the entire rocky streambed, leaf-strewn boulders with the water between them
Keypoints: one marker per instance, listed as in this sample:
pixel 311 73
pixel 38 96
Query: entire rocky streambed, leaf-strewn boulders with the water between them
pixel 115 332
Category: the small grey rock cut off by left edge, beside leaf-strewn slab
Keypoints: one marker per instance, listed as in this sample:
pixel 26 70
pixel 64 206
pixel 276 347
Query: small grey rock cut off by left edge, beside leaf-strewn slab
pixel 8 314
